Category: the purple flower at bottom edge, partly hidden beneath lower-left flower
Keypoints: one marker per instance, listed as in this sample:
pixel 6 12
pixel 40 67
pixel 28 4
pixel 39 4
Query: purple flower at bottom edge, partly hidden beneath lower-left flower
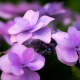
pixel 27 75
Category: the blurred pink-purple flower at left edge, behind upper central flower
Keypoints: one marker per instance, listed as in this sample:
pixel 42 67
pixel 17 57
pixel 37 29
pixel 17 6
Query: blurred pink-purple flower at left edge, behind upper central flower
pixel 4 30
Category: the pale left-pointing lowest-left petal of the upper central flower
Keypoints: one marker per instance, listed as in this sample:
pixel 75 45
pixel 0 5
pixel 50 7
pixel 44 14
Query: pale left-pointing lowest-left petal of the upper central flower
pixel 15 29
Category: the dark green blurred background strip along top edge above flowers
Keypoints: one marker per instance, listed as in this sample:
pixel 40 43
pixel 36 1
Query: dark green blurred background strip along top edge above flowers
pixel 72 4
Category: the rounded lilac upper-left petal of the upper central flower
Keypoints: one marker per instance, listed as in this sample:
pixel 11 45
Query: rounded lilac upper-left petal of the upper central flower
pixel 22 23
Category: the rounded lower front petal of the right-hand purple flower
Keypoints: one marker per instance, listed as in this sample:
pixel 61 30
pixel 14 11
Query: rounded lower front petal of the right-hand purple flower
pixel 69 54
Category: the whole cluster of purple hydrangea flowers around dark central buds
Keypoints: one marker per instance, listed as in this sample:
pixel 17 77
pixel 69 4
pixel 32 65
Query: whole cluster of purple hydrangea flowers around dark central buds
pixel 34 36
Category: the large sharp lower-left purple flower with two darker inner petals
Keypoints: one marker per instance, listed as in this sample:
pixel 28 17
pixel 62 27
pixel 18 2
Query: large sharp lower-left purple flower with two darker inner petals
pixel 19 58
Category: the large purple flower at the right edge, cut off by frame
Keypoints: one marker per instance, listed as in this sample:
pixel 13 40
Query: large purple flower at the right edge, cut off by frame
pixel 68 46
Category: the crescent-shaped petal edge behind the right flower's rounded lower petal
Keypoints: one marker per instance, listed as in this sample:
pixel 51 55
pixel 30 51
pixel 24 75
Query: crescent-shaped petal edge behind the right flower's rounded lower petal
pixel 59 55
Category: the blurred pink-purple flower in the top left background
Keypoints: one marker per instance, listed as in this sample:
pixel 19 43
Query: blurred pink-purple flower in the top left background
pixel 8 10
